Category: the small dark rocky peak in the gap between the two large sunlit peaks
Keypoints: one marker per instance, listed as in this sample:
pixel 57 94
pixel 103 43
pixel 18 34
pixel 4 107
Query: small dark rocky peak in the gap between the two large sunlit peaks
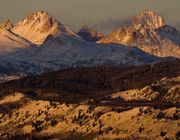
pixel 90 34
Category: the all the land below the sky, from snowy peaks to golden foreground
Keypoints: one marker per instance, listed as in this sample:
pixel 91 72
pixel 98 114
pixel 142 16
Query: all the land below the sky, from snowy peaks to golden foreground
pixel 59 84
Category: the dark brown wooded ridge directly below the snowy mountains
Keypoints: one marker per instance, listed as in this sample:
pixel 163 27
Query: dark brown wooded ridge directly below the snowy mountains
pixel 94 80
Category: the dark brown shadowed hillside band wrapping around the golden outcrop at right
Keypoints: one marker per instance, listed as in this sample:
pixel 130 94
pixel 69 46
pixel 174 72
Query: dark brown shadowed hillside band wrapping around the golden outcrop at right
pixel 92 85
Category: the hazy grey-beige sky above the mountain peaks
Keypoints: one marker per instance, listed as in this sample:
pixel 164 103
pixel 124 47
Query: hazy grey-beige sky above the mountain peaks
pixel 102 14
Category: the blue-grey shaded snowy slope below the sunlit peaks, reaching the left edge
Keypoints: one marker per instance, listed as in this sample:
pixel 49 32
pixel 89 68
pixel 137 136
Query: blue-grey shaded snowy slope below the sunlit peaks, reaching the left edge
pixel 63 51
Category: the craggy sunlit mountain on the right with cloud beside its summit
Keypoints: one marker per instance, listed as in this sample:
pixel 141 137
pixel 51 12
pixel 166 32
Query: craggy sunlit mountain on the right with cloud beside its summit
pixel 148 32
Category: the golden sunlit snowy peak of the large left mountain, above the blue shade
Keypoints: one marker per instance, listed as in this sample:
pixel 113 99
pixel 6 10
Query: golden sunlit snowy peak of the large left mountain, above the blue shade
pixel 37 26
